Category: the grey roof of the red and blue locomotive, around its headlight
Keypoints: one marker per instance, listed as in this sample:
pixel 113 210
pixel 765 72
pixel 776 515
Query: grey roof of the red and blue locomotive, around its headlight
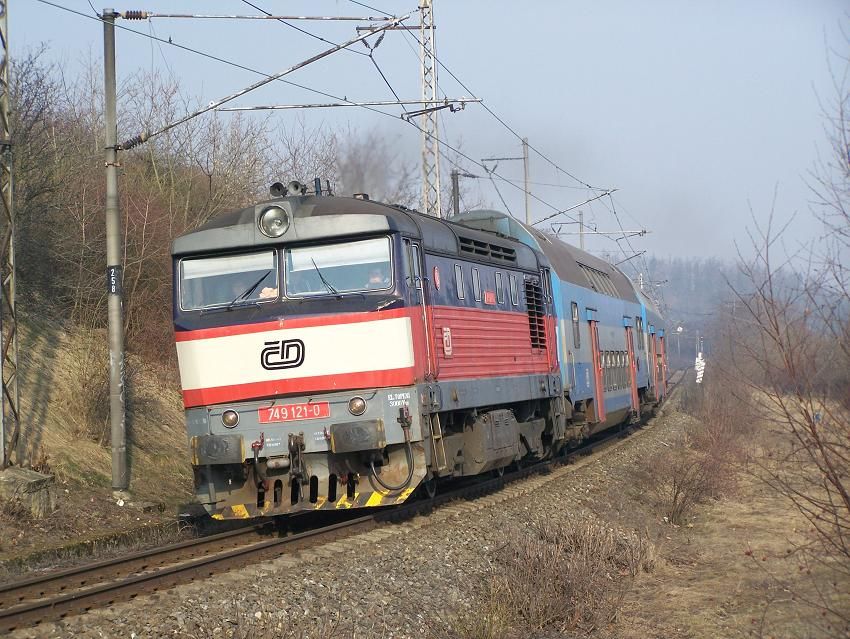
pixel 317 218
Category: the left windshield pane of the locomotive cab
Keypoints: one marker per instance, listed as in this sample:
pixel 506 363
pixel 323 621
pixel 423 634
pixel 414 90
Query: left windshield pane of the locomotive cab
pixel 210 282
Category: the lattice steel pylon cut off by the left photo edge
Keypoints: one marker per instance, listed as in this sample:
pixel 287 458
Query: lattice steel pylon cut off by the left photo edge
pixel 10 422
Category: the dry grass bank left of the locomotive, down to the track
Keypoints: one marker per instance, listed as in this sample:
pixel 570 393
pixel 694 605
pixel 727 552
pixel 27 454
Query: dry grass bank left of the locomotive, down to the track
pixel 63 426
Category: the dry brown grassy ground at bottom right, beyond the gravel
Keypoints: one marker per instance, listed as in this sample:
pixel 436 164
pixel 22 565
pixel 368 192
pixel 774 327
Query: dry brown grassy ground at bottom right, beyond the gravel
pixel 736 570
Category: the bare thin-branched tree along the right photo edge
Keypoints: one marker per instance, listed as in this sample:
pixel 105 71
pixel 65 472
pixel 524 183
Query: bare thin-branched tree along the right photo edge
pixel 789 353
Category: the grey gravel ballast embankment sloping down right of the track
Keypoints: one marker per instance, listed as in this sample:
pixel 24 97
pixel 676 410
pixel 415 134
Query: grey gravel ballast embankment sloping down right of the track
pixel 410 580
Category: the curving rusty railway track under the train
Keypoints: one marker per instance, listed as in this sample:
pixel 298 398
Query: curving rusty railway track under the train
pixel 77 590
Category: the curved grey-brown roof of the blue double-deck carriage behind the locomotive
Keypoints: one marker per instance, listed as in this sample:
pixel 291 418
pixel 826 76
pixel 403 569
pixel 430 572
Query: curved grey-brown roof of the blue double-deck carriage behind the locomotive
pixel 571 264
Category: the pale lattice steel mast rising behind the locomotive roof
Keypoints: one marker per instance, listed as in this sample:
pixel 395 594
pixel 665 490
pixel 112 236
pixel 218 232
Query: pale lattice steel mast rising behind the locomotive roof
pixel 431 203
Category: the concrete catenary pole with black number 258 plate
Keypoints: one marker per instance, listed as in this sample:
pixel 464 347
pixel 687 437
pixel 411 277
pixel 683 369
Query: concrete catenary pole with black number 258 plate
pixel 114 270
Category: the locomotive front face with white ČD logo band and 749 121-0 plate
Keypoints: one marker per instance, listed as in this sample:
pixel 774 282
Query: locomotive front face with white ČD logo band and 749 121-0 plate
pixel 297 325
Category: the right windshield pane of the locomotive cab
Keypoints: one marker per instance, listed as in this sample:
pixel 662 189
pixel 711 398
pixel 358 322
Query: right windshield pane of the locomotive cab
pixel 331 269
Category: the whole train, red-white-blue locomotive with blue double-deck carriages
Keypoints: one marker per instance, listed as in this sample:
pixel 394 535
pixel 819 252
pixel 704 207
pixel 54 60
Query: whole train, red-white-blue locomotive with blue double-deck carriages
pixel 339 352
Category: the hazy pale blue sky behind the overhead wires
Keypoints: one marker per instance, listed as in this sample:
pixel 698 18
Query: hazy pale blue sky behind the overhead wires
pixel 693 110
